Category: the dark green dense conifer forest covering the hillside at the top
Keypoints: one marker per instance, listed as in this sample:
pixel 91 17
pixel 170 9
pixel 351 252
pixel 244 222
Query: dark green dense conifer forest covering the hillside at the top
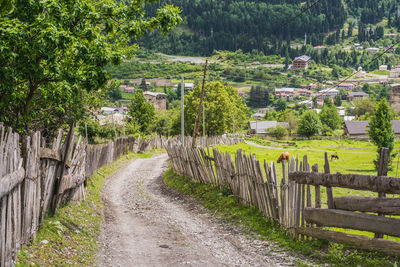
pixel 259 24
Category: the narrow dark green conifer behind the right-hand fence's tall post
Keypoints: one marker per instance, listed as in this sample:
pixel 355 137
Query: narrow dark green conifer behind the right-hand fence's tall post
pixel 380 127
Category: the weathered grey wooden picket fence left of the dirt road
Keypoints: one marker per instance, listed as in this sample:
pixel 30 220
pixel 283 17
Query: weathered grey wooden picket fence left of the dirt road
pixel 47 176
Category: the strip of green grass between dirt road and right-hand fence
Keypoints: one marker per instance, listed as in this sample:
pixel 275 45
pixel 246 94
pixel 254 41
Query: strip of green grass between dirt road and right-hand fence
pixel 223 204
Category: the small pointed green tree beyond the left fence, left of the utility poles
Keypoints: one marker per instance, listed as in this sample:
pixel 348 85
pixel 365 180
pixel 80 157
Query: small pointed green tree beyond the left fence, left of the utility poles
pixel 141 112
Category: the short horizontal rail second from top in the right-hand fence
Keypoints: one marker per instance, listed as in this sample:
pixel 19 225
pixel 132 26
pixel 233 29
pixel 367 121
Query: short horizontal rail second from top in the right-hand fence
pixel 389 206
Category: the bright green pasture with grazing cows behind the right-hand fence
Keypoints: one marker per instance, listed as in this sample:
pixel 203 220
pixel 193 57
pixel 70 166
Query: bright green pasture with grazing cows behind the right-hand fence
pixel 355 160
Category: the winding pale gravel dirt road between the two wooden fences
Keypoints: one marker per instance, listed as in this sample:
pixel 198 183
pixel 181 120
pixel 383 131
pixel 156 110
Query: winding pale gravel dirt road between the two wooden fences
pixel 147 224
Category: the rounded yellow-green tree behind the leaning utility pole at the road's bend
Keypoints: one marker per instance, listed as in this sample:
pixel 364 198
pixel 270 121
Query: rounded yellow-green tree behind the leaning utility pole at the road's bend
pixel 222 105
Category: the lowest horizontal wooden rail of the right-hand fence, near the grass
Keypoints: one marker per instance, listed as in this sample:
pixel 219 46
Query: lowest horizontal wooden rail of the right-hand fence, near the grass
pixel 357 241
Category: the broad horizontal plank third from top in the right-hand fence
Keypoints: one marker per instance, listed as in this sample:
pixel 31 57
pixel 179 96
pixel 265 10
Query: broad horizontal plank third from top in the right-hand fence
pixel 353 220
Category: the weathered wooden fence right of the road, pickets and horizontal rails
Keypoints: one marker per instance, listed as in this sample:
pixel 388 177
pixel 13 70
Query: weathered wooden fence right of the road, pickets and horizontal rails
pixel 254 183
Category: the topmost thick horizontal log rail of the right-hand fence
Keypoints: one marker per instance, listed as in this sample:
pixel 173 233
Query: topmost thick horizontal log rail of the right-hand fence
pixel 384 184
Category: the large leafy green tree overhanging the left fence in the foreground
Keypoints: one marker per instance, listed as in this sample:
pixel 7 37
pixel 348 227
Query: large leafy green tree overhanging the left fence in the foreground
pixel 53 55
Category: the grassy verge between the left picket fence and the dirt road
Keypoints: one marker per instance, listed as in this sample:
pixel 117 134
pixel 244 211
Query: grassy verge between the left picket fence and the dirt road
pixel 70 236
